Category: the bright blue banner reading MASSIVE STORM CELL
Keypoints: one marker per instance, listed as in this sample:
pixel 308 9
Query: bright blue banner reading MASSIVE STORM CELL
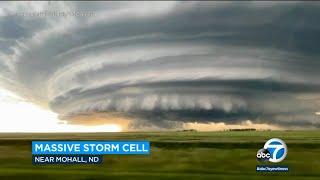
pixel 91 147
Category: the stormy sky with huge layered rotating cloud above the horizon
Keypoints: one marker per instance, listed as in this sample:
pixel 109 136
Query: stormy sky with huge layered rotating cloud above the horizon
pixel 112 66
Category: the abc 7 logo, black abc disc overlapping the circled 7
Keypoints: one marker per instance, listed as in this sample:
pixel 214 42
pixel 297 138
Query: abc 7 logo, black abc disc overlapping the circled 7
pixel 274 150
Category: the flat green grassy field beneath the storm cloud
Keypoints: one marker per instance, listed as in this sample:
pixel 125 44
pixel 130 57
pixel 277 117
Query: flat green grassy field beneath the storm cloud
pixel 174 155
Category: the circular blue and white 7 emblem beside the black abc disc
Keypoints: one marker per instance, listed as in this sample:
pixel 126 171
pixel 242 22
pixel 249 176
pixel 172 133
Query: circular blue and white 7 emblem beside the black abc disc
pixel 277 149
